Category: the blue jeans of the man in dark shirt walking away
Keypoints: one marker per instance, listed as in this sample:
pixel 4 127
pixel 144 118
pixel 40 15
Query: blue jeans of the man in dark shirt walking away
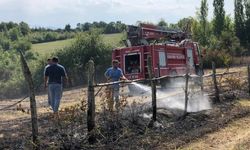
pixel 55 95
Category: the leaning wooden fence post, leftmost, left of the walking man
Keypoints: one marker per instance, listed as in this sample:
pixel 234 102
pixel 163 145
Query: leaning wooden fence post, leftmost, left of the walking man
pixel 28 78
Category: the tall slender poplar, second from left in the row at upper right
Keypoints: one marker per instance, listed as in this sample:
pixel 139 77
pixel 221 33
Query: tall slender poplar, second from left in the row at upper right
pixel 219 17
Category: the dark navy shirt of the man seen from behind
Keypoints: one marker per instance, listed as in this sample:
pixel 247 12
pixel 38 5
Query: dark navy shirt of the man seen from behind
pixel 55 72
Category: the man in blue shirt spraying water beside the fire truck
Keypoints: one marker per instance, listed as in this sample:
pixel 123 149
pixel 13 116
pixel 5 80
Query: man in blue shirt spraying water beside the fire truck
pixel 113 74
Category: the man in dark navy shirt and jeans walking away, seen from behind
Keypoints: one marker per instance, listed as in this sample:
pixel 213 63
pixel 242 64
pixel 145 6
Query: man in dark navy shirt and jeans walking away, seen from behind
pixel 53 78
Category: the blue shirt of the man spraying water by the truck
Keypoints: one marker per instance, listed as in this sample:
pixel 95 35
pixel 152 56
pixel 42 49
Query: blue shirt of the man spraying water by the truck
pixel 114 74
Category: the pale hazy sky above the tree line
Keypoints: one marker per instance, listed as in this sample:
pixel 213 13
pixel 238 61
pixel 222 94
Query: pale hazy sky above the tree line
pixel 58 13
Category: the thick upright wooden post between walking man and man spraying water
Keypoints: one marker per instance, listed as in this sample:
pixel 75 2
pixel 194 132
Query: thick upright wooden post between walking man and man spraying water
pixel 91 102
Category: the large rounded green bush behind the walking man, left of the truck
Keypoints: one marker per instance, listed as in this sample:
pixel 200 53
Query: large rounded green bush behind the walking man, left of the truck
pixel 75 57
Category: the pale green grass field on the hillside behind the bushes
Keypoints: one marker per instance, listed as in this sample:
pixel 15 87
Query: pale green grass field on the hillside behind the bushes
pixel 49 47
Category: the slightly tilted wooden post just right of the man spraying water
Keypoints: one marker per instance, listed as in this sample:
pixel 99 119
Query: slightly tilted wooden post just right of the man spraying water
pixel 153 87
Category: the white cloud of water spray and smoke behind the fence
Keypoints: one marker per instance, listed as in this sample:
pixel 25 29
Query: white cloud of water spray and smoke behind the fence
pixel 173 97
